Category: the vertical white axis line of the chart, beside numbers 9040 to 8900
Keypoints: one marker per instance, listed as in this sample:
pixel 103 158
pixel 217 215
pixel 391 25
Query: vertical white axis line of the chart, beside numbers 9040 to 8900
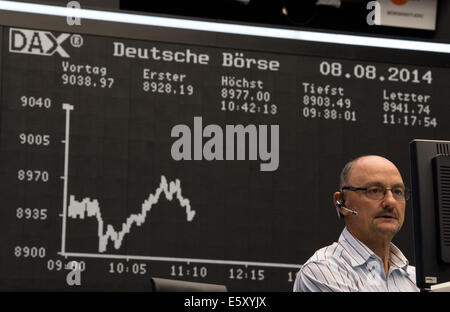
pixel 67 108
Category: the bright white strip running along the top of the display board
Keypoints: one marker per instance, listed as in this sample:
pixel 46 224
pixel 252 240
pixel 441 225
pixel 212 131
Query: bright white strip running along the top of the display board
pixel 225 28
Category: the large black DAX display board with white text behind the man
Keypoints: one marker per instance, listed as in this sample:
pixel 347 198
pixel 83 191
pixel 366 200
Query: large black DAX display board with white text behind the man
pixel 120 152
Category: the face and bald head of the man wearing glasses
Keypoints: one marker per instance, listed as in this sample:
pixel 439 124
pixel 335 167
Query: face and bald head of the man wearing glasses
pixel 376 218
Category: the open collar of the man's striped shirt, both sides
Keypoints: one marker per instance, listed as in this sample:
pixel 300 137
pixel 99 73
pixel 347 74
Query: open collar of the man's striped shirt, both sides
pixel 358 253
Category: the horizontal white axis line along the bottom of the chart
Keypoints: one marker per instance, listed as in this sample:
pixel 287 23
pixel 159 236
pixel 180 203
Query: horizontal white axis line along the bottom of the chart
pixel 174 259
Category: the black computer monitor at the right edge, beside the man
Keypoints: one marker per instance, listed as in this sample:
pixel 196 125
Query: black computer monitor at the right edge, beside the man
pixel 430 180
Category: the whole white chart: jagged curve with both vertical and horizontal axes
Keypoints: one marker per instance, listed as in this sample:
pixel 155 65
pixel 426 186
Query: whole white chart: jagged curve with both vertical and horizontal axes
pixel 90 208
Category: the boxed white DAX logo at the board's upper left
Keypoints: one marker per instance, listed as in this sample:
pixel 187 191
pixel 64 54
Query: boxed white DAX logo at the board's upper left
pixel 36 42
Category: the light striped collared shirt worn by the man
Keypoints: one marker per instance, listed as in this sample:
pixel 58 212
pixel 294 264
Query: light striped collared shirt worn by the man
pixel 349 265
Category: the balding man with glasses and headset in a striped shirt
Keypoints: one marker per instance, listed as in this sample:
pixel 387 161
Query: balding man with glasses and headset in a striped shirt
pixel 372 200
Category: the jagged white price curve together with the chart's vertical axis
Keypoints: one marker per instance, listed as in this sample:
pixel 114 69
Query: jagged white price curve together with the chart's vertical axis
pixel 91 208
